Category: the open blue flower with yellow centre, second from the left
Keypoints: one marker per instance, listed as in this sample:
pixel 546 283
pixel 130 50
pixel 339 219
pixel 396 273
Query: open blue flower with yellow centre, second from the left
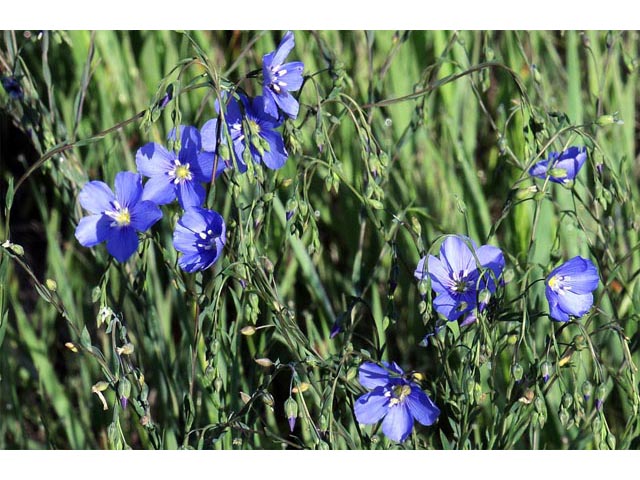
pixel 172 175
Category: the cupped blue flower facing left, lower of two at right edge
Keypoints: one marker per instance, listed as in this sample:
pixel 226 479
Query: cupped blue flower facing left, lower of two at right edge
pixel 569 288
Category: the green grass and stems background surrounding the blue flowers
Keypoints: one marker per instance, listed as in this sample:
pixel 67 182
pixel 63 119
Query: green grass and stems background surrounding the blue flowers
pixel 403 137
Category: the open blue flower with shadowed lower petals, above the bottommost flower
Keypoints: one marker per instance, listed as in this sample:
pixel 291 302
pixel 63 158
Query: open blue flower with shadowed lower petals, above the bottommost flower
pixel 460 274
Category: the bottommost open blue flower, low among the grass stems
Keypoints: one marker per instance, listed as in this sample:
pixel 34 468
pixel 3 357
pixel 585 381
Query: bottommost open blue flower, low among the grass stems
pixel 393 398
